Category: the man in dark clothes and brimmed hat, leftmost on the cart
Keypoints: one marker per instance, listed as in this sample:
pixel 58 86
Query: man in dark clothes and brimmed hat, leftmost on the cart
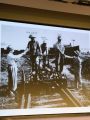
pixel 34 50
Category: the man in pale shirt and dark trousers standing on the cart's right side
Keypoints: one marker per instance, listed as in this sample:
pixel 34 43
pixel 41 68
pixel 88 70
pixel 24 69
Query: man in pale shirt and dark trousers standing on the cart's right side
pixel 60 53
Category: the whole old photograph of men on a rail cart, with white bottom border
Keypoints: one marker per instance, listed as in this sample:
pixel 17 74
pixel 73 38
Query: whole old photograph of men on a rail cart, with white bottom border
pixel 45 69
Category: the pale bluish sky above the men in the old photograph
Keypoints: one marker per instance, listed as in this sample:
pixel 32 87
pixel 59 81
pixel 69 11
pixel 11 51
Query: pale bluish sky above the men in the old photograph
pixel 16 35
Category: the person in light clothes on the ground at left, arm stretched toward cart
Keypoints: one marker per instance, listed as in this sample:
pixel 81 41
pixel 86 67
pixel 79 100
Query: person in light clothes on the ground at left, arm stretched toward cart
pixel 12 70
